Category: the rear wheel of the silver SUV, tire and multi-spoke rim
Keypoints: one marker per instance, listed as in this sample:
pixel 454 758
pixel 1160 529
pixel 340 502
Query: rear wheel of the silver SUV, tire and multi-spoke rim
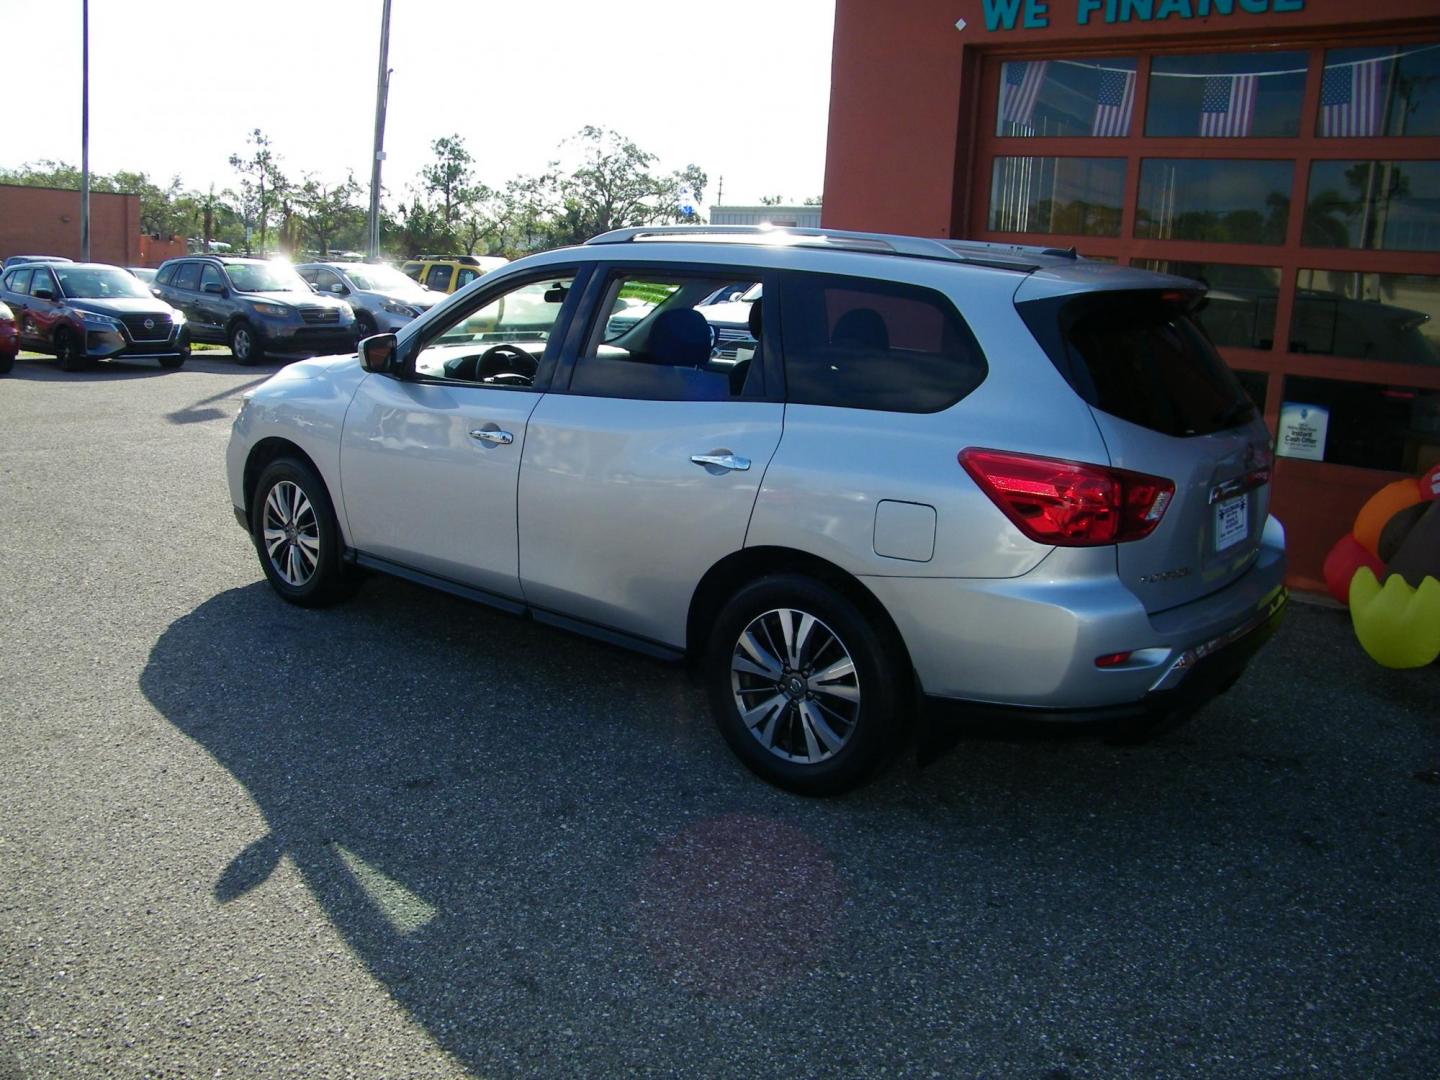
pixel 807 692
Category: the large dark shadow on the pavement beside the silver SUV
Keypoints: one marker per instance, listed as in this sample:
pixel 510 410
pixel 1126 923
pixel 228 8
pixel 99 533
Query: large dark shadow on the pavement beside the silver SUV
pixel 545 853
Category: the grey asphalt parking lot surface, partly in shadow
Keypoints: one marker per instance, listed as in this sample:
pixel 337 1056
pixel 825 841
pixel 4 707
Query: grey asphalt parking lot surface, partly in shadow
pixel 414 837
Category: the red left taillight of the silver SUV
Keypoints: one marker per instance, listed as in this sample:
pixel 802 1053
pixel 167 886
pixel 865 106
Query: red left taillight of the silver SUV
pixel 1069 503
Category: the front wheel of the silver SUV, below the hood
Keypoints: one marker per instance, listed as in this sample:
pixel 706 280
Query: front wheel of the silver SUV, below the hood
pixel 297 538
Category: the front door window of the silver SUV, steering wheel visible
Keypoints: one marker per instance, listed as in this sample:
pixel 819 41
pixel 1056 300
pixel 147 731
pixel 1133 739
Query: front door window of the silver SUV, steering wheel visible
pixel 502 343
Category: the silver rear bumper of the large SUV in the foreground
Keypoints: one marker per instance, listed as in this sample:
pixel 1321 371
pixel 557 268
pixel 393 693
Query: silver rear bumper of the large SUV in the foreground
pixel 1030 644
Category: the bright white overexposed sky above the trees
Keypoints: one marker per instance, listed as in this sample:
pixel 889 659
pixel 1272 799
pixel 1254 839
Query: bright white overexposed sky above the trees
pixel 741 90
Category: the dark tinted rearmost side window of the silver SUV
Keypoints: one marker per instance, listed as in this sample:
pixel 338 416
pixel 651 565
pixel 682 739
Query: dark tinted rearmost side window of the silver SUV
pixel 870 345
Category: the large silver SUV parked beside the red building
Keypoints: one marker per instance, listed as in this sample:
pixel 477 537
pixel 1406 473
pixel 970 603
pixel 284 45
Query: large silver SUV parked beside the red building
pixel 1002 476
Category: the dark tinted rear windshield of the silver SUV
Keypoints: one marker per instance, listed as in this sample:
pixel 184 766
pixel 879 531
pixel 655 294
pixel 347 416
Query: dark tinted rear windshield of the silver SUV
pixel 1144 358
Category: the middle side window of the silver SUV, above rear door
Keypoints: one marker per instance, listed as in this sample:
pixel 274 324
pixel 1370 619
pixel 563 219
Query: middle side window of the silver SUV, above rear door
pixel 656 338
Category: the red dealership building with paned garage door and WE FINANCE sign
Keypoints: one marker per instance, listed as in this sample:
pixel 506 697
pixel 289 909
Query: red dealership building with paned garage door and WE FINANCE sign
pixel 1284 152
